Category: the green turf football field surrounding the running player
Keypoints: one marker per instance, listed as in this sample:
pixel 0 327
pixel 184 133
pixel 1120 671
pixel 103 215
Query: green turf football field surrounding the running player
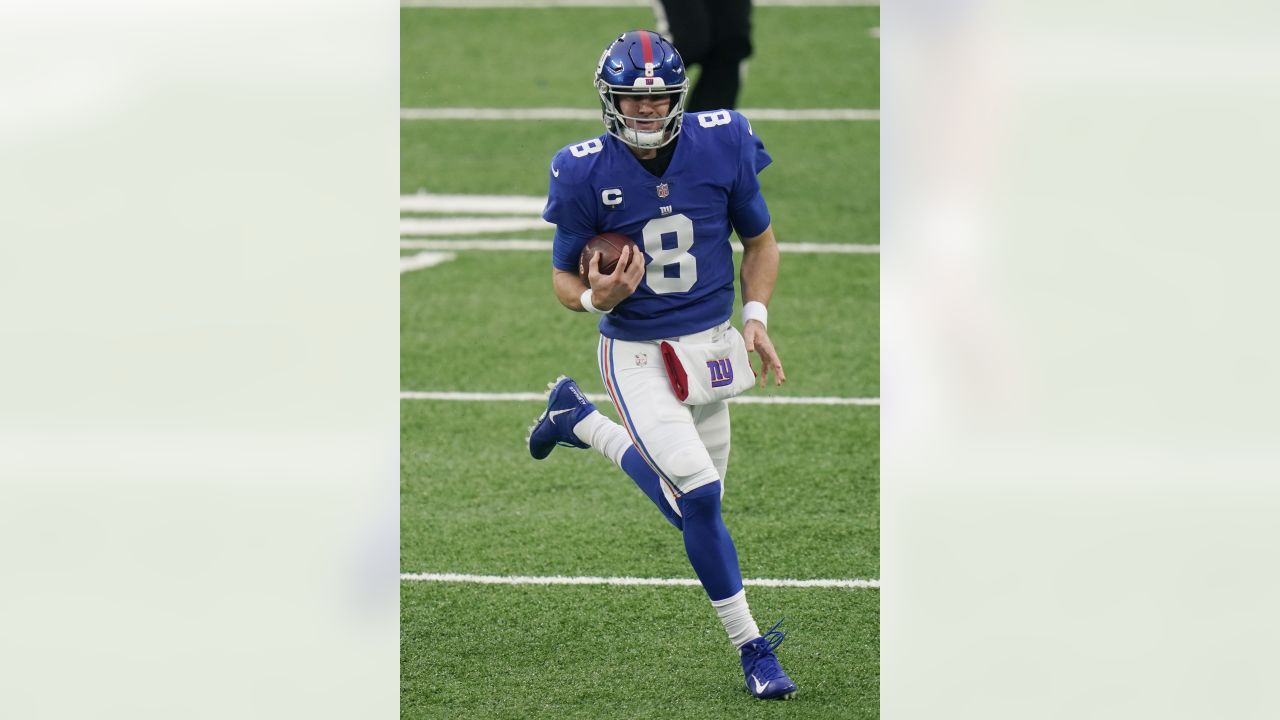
pixel 803 487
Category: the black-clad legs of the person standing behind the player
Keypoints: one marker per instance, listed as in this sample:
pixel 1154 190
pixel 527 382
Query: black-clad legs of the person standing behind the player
pixel 715 35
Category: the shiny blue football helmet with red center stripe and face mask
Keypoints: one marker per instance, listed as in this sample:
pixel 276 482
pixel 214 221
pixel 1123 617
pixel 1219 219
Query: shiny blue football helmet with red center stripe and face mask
pixel 642 63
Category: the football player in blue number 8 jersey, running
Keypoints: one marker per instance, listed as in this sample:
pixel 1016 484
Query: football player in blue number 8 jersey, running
pixel 679 185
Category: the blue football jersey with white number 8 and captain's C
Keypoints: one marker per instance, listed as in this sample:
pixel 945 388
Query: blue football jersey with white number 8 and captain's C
pixel 683 221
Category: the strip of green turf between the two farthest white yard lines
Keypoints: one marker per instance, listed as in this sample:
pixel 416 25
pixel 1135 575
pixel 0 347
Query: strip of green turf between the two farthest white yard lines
pixel 524 58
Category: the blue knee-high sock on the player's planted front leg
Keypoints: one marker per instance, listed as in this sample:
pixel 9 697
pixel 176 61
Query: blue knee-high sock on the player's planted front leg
pixel 711 550
